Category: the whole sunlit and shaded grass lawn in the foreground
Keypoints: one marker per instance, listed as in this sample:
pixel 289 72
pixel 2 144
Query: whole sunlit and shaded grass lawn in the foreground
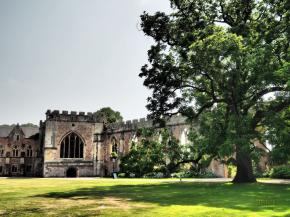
pixel 140 197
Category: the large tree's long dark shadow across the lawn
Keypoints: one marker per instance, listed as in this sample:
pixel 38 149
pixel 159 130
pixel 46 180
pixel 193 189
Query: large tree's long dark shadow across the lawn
pixel 251 197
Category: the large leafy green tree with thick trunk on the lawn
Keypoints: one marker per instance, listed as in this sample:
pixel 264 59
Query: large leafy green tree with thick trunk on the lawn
pixel 224 63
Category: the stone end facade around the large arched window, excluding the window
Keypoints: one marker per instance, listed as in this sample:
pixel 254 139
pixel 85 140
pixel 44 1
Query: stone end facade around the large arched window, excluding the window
pixel 56 127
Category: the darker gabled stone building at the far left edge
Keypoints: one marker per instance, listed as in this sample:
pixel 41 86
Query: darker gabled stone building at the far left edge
pixel 20 151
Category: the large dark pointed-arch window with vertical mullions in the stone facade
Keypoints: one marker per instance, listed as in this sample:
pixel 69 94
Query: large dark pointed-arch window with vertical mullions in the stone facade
pixel 72 146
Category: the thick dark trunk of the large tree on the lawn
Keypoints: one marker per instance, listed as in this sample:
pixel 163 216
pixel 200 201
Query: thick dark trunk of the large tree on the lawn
pixel 244 168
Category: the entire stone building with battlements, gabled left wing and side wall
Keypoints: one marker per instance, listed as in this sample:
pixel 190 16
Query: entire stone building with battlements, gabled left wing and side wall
pixel 71 144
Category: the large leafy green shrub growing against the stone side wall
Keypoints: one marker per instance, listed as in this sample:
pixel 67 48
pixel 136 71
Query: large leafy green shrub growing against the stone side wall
pixel 159 152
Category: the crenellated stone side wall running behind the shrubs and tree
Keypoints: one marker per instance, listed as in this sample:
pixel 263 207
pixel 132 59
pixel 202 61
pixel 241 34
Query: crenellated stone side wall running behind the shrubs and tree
pixel 125 133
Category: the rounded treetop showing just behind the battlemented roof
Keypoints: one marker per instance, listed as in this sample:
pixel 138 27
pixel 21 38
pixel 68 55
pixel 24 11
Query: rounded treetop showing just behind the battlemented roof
pixel 108 115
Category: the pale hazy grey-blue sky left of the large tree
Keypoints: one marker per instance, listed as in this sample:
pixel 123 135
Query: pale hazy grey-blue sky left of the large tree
pixel 72 55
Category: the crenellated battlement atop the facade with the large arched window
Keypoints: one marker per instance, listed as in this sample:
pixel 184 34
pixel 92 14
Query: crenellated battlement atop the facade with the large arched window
pixel 72 116
